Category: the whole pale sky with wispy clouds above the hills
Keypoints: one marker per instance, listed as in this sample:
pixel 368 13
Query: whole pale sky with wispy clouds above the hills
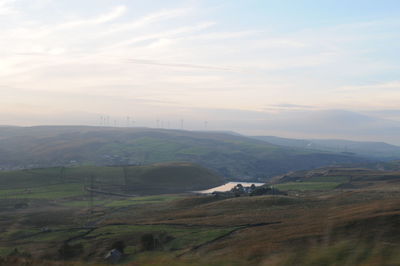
pixel 256 67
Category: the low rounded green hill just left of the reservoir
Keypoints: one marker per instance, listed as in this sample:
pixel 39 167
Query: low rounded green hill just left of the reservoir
pixel 152 179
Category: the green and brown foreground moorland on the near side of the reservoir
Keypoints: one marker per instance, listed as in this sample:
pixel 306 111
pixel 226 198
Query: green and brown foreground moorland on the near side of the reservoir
pixel 313 226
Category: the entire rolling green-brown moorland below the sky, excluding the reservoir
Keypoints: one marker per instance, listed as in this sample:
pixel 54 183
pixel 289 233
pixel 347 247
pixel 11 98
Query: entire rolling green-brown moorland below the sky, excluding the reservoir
pixel 344 212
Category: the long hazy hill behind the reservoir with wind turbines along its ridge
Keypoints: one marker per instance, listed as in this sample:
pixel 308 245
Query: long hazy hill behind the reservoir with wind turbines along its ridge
pixel 230 155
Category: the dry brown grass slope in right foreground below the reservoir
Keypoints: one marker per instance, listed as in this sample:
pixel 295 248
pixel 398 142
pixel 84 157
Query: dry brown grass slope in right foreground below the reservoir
pixel 349 227
